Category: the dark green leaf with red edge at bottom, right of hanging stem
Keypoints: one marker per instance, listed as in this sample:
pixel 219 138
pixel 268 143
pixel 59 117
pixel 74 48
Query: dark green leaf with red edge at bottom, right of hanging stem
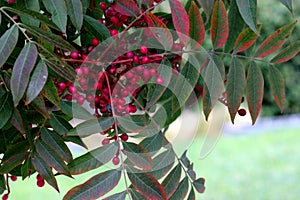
pixel 147 185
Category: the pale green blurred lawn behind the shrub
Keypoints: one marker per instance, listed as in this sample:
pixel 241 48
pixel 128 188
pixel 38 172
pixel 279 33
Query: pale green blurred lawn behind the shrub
pixel 262 166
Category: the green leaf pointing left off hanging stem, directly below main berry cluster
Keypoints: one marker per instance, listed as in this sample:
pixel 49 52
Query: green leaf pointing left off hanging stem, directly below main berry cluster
pixel 92 126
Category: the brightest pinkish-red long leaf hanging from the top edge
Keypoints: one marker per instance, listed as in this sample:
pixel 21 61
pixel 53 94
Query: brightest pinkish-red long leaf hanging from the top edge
pixel 180 20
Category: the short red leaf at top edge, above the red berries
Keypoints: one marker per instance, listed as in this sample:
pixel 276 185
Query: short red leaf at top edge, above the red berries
pixel 126 7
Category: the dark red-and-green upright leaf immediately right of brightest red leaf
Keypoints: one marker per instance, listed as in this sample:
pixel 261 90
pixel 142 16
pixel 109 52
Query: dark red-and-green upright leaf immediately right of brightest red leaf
pixel 197 29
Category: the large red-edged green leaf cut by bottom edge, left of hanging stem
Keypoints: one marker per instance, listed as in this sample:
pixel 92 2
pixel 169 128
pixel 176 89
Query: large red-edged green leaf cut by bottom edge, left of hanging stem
pixel 95 187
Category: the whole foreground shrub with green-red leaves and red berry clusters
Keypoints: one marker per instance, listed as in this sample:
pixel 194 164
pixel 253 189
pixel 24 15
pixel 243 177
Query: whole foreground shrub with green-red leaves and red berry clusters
pixel 127 72
